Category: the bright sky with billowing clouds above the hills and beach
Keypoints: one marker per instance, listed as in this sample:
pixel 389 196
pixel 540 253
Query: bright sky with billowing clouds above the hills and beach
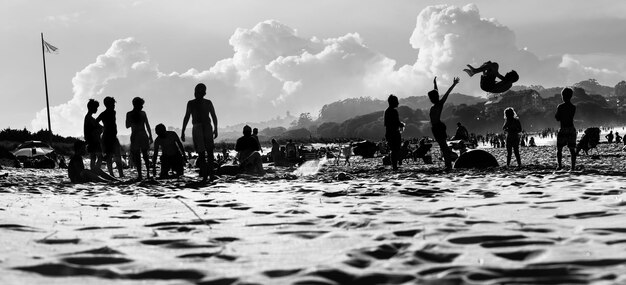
pixel 262 58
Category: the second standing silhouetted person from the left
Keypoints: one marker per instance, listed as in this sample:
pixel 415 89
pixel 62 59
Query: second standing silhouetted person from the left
pixel 110 144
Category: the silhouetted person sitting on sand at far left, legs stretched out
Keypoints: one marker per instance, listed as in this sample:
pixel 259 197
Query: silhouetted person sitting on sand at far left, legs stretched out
pixel 77 172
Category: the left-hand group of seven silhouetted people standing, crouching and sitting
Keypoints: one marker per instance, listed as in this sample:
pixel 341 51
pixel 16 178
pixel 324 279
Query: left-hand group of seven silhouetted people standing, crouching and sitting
pixel 102 144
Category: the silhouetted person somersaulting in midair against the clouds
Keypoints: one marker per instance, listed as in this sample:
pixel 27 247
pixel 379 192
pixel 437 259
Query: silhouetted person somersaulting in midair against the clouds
pixel 490 72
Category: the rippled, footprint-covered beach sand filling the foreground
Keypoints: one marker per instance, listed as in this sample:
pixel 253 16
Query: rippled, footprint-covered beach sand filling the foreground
pixel 420 225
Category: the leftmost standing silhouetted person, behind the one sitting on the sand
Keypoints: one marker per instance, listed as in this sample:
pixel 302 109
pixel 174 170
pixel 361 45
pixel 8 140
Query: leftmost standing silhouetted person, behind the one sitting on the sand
pixel 91 132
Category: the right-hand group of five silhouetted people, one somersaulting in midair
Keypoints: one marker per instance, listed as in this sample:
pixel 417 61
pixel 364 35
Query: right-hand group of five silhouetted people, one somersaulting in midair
pixel 491 81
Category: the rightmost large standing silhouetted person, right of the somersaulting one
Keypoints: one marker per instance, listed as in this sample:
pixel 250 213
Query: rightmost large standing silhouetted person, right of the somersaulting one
pixel 567 133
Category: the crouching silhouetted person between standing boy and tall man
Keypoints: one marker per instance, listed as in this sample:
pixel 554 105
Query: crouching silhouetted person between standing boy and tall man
pixel 173 153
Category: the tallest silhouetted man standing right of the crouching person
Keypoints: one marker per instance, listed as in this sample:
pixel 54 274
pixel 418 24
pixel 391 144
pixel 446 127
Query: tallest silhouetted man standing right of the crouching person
pixel 204 131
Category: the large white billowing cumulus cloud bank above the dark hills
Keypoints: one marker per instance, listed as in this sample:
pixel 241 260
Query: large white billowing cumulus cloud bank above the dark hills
pixel 274 70
